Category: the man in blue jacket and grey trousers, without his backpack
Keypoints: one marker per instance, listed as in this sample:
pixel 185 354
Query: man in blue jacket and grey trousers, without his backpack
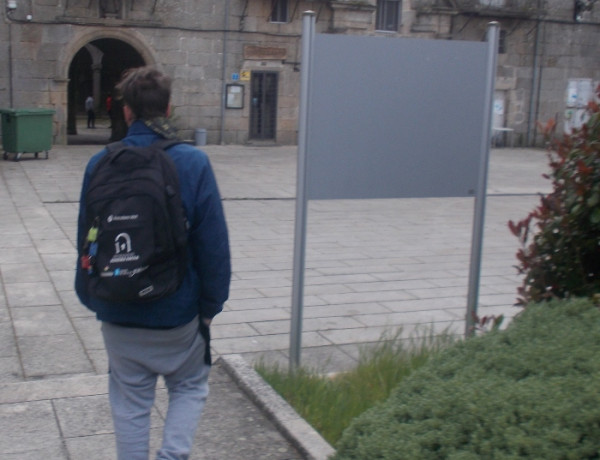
pixel 160 337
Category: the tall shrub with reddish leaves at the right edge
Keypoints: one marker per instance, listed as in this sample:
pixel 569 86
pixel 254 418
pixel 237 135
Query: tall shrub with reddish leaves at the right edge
pixel 562 258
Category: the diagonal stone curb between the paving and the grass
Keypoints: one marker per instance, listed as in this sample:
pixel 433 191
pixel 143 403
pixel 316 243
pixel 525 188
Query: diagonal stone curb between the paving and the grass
pixel 286 419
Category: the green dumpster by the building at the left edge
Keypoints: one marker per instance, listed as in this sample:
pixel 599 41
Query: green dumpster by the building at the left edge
pixel 26 131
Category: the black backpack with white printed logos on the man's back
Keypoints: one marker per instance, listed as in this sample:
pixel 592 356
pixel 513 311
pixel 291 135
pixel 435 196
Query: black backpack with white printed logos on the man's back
pixel 135 247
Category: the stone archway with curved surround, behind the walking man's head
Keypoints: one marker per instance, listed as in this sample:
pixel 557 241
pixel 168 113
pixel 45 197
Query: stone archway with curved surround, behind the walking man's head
pixel 93 63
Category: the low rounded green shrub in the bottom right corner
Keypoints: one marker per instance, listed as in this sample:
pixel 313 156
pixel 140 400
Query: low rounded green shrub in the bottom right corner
pixel 530 391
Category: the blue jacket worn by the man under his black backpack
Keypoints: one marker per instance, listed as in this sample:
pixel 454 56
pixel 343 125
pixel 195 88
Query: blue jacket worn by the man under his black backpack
pixel 206 285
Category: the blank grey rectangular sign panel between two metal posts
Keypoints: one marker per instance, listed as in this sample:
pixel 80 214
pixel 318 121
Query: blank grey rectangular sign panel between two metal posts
pixel 394 118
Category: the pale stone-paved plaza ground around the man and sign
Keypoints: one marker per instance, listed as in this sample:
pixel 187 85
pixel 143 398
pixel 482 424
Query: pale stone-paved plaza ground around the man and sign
pixel 372 267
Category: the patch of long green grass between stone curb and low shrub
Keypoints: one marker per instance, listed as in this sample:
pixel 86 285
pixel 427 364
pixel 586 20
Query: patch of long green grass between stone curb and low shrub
pixel 330 402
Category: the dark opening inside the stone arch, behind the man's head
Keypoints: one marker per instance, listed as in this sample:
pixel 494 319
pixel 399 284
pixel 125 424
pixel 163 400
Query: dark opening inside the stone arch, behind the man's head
pixel 94 70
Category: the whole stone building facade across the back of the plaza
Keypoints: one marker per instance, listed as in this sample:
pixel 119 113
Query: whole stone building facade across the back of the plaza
pixel 235 63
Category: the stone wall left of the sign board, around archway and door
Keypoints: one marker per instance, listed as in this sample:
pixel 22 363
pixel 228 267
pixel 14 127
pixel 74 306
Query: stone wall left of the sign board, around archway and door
pixel 185 39
